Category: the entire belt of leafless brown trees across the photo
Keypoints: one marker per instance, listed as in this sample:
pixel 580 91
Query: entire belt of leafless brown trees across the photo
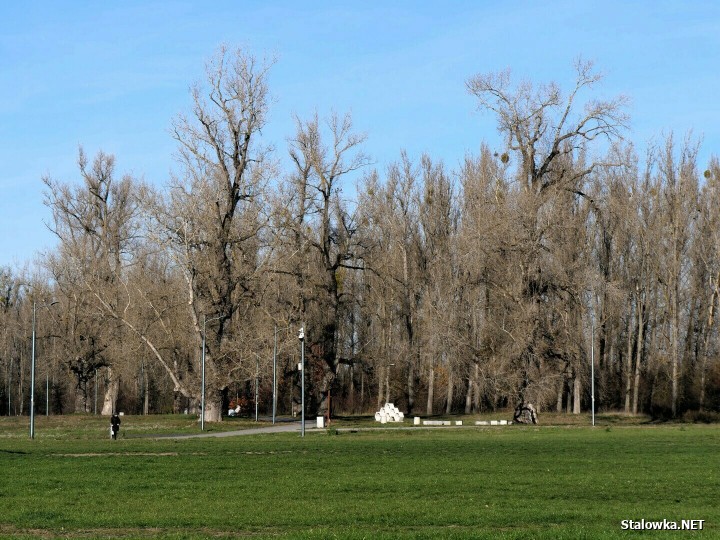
pixel 443 290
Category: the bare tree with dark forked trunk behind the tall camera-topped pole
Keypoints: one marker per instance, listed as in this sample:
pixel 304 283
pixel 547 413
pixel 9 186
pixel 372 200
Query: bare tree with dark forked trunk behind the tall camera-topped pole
pixel 324 236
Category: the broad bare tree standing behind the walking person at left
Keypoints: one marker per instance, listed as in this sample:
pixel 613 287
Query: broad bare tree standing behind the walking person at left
pixel 96 223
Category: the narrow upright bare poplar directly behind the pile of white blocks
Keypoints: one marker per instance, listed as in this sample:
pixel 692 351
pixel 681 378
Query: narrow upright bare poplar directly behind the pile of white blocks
pixel 396 259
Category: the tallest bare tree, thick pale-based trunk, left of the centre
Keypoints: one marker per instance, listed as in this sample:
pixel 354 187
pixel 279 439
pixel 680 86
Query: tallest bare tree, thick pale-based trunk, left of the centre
pixel 214 217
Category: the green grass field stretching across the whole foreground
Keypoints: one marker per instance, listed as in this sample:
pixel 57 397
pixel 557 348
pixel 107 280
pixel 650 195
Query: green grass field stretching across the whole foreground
pixel 562 481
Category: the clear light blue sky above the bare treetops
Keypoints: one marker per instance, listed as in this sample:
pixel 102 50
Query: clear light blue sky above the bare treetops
pixel 111 76
